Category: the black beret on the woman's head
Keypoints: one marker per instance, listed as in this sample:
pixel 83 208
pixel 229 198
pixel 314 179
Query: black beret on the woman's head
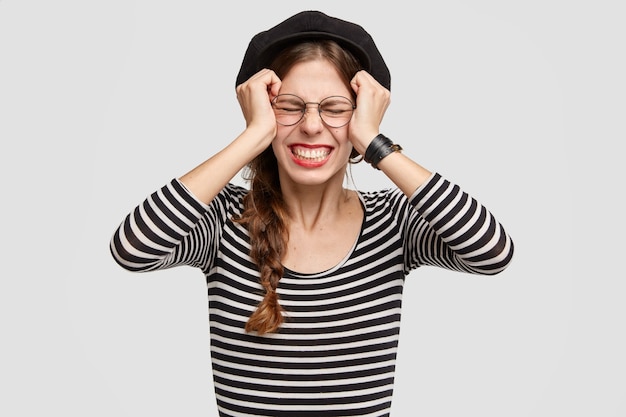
pixel 310 25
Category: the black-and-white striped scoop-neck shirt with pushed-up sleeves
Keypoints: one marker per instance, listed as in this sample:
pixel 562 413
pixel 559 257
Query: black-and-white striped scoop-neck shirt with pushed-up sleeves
pixel 335 354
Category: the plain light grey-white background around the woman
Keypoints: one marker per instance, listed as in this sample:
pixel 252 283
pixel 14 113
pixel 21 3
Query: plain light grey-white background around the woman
pixel 522 103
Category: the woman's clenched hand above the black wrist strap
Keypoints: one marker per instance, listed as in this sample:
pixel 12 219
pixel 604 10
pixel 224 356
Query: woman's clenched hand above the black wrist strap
pixel 372 100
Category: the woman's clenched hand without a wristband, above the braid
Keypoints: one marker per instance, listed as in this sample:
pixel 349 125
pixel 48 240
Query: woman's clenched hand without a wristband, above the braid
pixel 254 97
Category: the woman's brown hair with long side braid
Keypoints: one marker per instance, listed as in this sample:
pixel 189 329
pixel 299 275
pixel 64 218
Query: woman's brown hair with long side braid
pixel 265 214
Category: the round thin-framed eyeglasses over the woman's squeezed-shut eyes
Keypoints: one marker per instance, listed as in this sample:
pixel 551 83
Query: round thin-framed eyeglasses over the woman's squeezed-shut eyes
pixel 335 111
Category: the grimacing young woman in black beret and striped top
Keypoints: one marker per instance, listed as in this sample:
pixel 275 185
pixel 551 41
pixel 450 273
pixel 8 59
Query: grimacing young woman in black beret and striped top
pixel 304 276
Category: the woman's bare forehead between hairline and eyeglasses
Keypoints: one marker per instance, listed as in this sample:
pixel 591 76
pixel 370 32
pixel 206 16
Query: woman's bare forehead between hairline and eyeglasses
pixel 314 80
